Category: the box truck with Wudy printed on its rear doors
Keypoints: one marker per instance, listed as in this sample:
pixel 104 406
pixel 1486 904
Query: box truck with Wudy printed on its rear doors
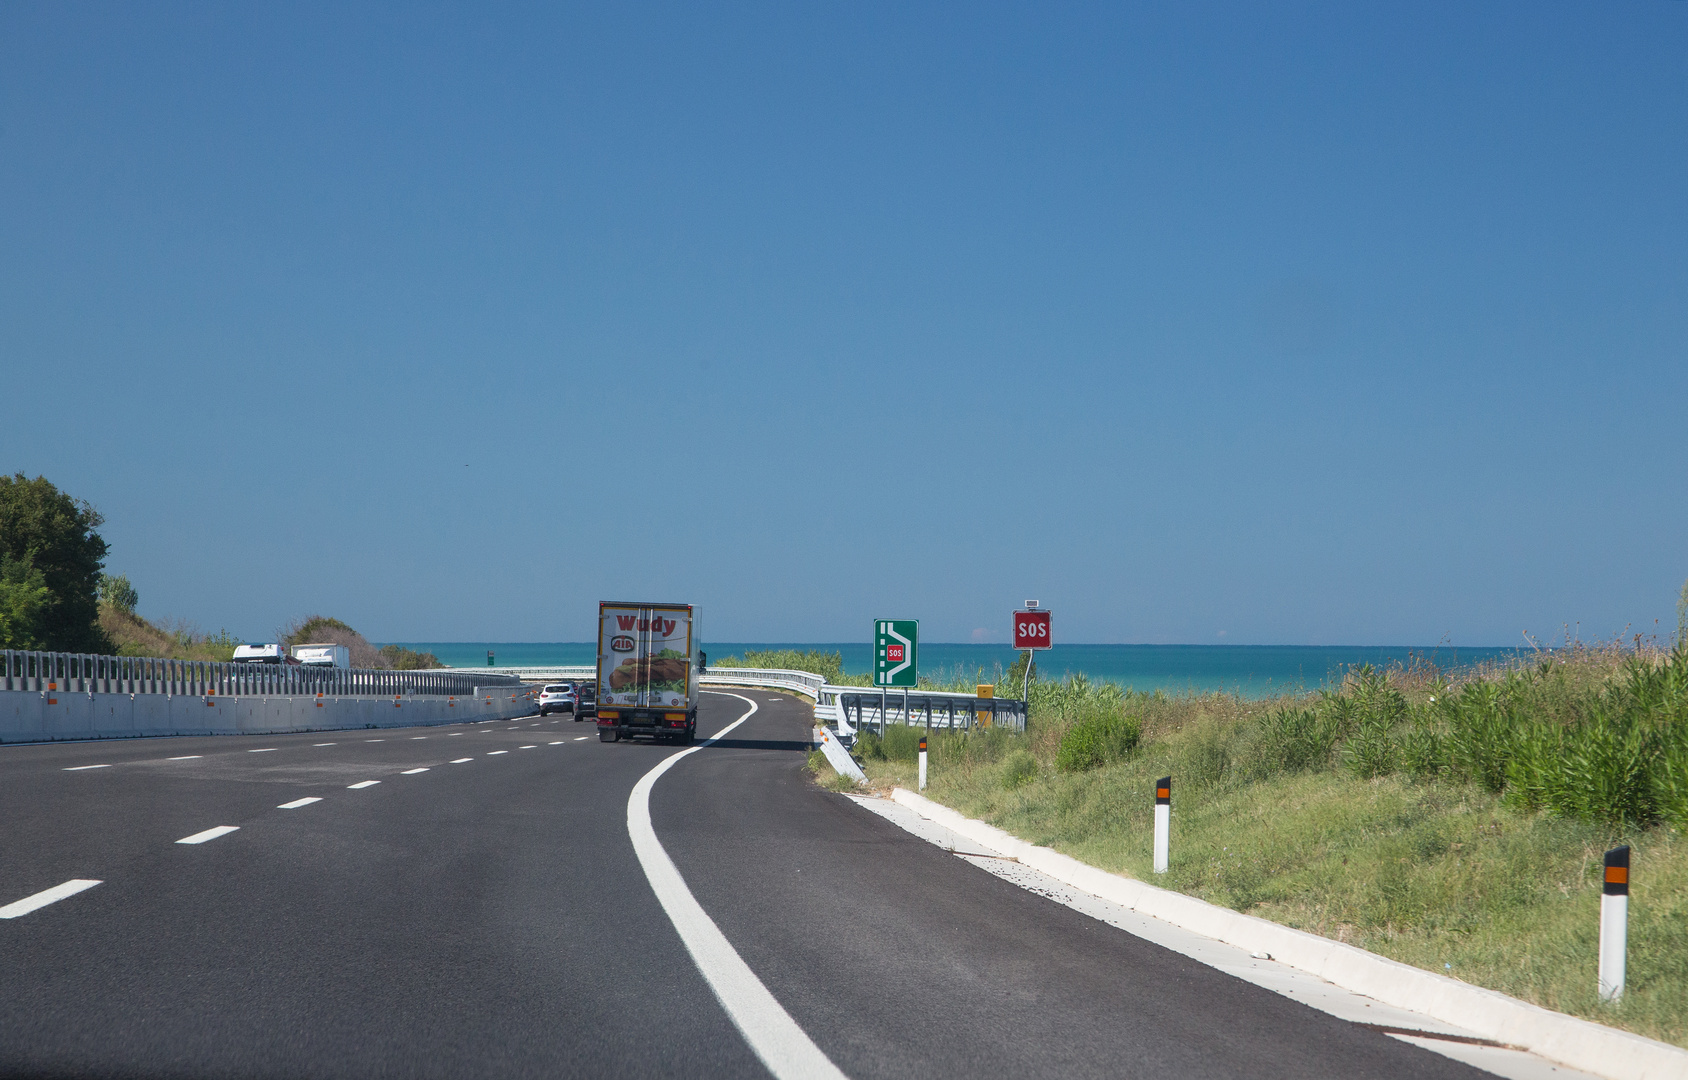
pixel 649 657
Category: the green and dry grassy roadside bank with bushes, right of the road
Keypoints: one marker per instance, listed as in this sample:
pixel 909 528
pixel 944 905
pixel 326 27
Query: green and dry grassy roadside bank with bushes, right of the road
pixel 1447 821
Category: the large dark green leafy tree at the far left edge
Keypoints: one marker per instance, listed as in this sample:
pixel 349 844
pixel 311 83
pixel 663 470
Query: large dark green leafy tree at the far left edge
pixel 51 534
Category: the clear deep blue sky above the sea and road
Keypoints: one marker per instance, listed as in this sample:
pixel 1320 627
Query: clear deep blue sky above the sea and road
pixel 1199 323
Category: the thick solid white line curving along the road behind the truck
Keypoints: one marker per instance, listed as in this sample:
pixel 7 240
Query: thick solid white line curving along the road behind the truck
pixel 782 1045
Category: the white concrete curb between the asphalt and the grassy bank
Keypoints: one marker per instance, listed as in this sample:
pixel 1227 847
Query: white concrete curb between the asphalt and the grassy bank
pixel 1557 1037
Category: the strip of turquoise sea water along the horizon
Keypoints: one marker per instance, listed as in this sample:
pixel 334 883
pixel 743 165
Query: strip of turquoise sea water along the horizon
pixel 1252 671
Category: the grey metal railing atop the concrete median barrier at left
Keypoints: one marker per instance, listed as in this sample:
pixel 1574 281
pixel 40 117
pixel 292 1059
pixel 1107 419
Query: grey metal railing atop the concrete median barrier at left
pixel 94 674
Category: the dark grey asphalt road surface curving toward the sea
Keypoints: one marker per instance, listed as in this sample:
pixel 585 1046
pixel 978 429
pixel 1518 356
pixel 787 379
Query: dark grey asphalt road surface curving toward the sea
pixel 480 910
